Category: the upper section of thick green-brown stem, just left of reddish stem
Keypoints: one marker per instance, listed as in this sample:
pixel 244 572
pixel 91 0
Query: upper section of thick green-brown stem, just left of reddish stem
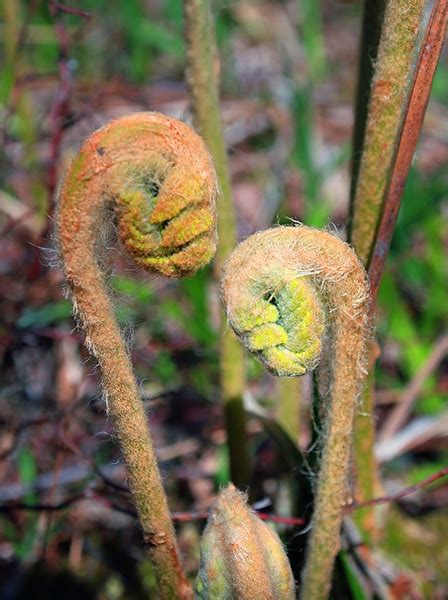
pixel 391 88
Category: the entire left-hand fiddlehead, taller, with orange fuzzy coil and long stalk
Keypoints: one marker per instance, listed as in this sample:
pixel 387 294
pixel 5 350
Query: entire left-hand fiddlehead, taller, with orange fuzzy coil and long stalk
pixel 153 175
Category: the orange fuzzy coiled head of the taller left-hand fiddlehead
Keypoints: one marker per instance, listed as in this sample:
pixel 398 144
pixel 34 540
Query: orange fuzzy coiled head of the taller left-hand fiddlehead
pixel 157 174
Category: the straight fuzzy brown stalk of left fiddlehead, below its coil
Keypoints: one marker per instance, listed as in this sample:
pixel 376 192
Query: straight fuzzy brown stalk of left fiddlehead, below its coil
pixel 128 417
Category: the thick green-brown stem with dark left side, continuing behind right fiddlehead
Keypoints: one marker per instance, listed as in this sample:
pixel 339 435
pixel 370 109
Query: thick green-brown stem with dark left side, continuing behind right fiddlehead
pixel 394 45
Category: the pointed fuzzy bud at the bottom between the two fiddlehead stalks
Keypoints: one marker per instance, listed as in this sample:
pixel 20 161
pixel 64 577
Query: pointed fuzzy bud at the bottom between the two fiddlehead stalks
pixel 241 557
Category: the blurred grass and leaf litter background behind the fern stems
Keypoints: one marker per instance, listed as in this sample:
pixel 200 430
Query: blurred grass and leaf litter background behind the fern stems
pixel 288 72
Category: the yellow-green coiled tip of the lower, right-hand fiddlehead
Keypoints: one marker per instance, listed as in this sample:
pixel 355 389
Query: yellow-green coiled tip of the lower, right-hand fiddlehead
pixel 272 305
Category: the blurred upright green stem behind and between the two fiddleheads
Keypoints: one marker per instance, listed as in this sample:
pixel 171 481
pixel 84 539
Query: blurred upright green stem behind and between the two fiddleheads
pixel 202 81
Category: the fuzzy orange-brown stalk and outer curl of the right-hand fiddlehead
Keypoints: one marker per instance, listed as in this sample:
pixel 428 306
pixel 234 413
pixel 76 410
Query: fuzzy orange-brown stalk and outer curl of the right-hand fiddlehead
pixel 340 283
